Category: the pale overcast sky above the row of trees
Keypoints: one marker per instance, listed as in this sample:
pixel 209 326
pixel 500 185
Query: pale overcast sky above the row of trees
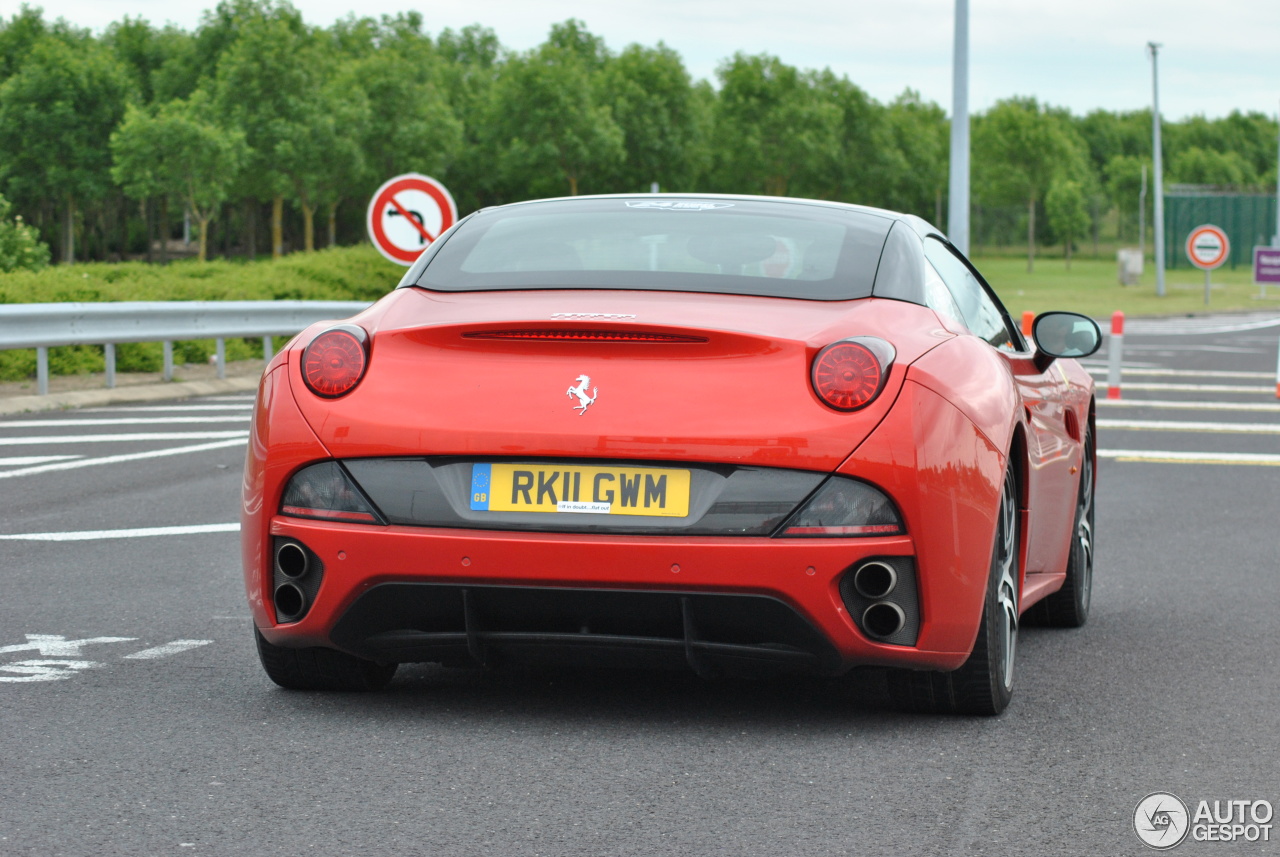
pixel 1084 56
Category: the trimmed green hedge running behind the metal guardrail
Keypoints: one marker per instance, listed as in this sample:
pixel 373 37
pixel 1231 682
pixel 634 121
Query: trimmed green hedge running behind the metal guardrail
pixel 339 274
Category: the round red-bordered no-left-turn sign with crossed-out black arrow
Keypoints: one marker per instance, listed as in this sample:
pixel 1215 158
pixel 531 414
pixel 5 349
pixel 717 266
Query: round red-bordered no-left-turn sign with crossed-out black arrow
pixel 408 214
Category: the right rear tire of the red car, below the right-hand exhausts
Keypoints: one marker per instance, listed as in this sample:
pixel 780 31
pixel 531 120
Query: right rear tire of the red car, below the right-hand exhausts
pixel 985 684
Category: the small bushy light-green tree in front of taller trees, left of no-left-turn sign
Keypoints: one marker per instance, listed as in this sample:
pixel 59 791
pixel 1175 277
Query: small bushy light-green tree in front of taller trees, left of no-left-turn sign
pixel 177 153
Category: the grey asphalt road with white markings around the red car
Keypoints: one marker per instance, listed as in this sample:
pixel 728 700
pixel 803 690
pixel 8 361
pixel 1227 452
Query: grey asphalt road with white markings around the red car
pixel 135 718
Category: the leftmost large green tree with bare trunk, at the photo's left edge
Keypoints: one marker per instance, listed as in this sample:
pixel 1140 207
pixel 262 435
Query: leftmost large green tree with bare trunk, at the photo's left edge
pixel 70 100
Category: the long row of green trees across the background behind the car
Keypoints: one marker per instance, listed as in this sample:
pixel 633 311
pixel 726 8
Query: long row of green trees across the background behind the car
pixel 264 131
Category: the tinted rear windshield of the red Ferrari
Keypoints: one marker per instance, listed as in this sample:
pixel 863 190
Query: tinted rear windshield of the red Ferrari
pixel 788 250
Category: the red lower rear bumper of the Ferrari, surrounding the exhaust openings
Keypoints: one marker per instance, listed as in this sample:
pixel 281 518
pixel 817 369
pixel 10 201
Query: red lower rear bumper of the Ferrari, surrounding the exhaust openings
pixel 716 604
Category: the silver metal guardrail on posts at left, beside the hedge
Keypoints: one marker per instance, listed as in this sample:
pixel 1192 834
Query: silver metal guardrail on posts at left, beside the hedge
pixel 48 326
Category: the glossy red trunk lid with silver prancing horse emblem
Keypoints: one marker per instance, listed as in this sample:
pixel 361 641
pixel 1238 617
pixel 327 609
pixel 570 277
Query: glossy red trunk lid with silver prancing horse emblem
pixel 610 375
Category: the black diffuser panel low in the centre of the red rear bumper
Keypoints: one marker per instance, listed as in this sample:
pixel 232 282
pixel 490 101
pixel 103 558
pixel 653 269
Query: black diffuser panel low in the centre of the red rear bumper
pixel 710 633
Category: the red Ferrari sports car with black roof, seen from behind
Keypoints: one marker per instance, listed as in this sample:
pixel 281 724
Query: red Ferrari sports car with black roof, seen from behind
pixel 729 434
